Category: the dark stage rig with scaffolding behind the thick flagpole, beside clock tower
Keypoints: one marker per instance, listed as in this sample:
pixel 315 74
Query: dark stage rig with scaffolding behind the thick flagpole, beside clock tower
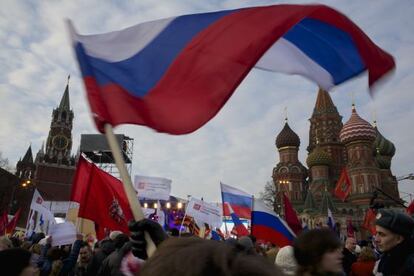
pixel 96 148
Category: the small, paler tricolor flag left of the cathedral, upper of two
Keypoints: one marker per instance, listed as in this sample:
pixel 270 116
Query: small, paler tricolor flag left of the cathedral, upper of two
pixel 241 202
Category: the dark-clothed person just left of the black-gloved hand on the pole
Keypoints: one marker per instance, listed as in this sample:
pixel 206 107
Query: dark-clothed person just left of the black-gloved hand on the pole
pixel 111 265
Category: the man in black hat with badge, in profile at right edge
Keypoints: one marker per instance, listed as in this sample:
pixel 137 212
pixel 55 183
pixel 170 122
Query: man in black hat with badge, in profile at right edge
pixel 394 239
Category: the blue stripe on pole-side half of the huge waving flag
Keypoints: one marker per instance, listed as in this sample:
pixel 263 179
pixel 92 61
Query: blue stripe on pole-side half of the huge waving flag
pixel 149 65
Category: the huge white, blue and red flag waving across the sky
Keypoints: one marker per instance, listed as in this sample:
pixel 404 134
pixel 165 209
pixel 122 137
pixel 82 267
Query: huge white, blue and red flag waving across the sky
pixel 175 74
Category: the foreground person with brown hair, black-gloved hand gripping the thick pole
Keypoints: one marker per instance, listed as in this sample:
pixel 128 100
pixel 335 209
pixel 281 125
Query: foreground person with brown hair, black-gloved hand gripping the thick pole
pixel 207 257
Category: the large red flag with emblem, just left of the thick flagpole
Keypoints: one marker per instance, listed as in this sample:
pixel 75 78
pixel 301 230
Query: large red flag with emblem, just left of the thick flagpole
pixel 102 198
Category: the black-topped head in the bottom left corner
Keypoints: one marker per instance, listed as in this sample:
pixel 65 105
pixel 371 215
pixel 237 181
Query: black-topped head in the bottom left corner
pixel 16 262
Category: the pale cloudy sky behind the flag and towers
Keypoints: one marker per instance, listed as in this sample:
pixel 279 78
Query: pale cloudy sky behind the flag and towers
pixel 235 147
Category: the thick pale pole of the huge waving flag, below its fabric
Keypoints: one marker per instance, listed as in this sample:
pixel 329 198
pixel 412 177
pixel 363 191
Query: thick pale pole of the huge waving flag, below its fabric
pixel 126 181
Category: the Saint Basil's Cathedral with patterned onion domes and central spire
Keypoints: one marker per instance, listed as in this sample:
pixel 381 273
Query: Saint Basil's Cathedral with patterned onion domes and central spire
pixel 357 146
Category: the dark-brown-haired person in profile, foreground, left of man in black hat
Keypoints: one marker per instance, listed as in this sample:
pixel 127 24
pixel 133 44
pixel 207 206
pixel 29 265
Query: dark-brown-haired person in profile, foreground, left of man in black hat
pixel 318 252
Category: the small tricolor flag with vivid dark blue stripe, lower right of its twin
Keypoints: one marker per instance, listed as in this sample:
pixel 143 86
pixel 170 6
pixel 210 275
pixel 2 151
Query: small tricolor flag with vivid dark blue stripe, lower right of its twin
pixel 268 226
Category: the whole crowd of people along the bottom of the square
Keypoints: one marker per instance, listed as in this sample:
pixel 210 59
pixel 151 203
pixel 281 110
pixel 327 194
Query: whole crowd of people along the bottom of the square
pixel 314 252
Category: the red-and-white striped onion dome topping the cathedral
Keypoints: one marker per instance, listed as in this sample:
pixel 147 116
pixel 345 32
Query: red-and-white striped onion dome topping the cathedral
pixel 357 129
